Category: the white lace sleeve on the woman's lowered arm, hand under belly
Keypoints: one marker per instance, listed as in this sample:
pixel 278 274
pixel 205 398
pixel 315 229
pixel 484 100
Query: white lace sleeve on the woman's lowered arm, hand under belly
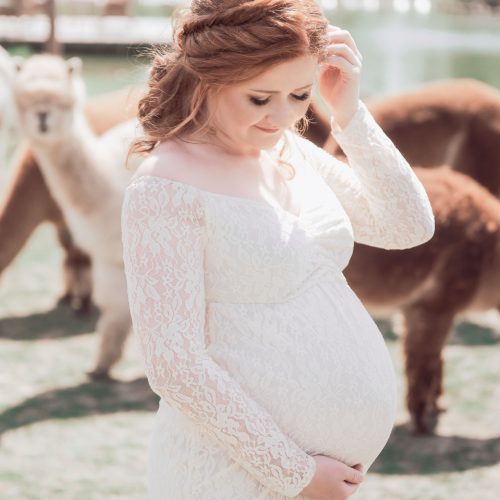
pixel 164 235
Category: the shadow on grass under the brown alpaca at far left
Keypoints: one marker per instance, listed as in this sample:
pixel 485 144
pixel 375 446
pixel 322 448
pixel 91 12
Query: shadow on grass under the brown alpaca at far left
pixel 57 323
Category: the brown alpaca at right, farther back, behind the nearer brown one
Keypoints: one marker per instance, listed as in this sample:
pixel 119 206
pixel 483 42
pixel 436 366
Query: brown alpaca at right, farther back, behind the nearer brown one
pixel 449 122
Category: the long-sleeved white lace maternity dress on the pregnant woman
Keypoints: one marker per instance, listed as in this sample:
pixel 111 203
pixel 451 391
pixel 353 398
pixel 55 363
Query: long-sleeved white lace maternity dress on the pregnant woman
pixel 260 351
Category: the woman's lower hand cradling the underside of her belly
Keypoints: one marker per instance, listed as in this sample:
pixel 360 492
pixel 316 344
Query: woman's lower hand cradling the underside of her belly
pixel 333 480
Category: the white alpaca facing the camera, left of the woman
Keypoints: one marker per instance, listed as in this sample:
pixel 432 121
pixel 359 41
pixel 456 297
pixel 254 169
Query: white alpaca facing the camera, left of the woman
pixel 87 177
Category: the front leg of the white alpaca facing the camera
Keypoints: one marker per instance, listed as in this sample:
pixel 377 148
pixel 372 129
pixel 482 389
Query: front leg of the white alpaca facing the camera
pixel 110 295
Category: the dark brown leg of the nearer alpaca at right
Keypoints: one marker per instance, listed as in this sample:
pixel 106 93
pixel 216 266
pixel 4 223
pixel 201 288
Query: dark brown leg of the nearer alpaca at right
pixel 425 335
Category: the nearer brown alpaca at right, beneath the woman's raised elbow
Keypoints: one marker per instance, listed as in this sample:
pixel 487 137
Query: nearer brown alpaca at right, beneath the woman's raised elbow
pixel 458 270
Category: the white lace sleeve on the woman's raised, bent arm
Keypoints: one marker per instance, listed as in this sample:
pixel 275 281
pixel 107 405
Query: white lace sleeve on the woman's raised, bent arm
pixel 384 199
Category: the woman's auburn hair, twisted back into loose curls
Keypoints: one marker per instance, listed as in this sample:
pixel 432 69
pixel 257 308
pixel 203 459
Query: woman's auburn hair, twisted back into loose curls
pixel 217 43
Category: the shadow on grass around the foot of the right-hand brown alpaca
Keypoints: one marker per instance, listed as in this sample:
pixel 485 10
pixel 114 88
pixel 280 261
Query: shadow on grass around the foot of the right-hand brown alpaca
pixel 422 455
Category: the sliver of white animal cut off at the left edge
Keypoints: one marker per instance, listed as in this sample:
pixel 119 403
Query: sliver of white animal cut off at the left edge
pixel 7 109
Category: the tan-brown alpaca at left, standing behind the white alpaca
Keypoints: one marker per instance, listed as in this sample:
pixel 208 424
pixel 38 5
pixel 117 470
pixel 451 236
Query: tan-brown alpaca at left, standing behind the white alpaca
pixel 19 219
